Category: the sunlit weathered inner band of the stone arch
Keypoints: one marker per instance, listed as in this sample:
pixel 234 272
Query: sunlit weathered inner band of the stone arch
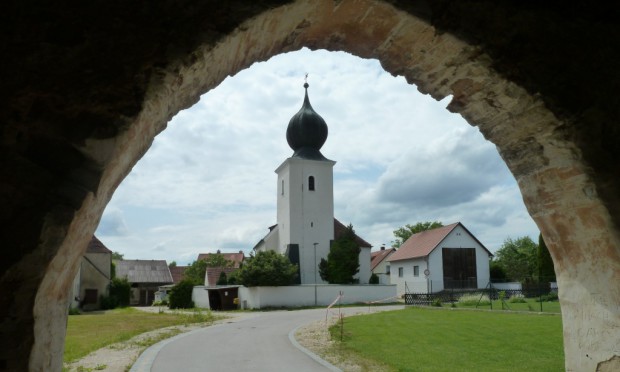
pixel 555 181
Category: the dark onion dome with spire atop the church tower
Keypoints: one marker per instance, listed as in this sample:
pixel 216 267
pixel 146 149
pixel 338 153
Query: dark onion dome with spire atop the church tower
pixel 307 132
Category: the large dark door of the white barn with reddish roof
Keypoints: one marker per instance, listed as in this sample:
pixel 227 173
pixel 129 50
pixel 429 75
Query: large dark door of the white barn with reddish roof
pixel 459 268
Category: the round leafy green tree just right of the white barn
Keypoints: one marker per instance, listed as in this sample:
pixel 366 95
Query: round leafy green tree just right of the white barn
pixel 518 258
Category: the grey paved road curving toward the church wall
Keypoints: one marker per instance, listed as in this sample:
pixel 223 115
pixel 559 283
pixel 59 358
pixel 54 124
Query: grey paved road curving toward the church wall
pixel 258 341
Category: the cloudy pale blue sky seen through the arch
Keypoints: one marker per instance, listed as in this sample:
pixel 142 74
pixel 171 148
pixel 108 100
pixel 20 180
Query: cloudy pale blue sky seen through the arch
pixel 208 181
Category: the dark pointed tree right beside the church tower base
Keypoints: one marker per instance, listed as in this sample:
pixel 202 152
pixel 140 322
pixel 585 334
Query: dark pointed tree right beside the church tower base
pixel 342 261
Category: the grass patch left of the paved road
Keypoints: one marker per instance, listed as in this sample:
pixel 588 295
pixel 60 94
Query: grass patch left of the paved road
pixel 89 332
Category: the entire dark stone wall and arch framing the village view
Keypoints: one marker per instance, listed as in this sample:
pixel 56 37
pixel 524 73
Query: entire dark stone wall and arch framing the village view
pixel 86 87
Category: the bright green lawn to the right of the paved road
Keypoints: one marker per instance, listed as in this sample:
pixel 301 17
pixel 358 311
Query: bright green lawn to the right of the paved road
pixel 419 339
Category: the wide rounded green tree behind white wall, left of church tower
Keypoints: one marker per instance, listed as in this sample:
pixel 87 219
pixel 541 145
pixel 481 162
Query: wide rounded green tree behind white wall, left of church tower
pixel 267 268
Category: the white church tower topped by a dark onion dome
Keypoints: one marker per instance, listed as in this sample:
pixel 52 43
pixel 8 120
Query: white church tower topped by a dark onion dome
pixel 306 195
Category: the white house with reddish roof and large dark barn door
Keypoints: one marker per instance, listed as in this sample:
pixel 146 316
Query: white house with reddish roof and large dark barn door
pixel 448 257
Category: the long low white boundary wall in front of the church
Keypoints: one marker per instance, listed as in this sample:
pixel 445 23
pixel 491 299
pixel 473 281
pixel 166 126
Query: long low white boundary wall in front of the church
pixel 304 295
